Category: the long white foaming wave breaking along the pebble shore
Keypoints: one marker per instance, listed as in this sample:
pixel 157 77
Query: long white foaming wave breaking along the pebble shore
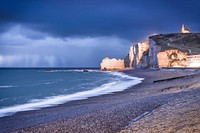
pixel 108 88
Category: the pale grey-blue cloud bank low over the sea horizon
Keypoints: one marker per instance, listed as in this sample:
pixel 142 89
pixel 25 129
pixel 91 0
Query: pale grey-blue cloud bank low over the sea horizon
pixel 19 49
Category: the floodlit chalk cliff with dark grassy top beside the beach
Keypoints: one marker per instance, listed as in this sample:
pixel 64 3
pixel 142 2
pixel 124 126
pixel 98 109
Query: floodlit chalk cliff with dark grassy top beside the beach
pixel 160 51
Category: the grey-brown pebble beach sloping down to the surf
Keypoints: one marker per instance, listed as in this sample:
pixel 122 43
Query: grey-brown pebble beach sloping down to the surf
pixel 166 101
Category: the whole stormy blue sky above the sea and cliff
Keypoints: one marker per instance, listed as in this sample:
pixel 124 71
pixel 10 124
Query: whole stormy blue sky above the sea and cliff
pixel 80 33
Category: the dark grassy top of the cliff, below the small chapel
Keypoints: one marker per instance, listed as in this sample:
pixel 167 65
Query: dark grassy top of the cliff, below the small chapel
pixel 186 42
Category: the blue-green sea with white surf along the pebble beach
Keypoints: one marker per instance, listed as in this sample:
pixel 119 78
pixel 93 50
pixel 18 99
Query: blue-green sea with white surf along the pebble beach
pixel 24 89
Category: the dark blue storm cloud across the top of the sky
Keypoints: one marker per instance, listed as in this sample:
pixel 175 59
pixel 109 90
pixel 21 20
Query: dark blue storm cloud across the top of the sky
pixel 126 18
